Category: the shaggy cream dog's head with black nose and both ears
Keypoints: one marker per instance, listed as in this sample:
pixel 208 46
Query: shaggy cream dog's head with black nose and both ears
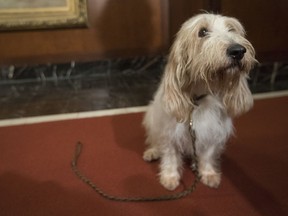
pixel 210 51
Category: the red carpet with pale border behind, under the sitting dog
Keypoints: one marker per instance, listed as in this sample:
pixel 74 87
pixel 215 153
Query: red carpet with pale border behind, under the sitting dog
pixel 36 179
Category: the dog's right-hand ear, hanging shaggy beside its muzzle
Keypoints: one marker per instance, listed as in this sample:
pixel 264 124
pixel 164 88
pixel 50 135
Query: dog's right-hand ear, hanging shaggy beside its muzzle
pixel 239 99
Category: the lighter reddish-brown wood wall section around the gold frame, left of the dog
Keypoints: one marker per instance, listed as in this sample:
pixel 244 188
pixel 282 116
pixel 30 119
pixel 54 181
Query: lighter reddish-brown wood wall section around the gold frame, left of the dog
pixel 126 27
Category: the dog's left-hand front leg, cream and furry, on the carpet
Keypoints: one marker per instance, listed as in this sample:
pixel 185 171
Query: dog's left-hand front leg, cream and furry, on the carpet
pixel 170 168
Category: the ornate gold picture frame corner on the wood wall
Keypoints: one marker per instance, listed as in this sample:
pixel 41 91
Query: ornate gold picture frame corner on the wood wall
pixel 42 14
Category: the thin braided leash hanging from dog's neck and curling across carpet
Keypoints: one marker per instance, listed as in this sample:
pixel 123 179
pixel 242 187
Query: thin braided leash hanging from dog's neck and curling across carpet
pixel 175 196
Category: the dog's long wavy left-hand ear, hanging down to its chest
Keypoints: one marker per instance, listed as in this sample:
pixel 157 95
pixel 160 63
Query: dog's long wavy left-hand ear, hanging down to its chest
pixel 176 82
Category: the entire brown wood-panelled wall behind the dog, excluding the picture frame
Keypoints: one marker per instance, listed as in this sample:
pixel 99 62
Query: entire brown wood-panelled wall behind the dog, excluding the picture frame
pixel 140 27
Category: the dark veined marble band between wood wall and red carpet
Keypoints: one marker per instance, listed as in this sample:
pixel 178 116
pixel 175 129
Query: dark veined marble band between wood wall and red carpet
pixel 115 83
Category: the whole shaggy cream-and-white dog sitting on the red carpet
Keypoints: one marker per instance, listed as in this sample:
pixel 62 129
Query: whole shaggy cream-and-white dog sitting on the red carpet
pixel 205 82
